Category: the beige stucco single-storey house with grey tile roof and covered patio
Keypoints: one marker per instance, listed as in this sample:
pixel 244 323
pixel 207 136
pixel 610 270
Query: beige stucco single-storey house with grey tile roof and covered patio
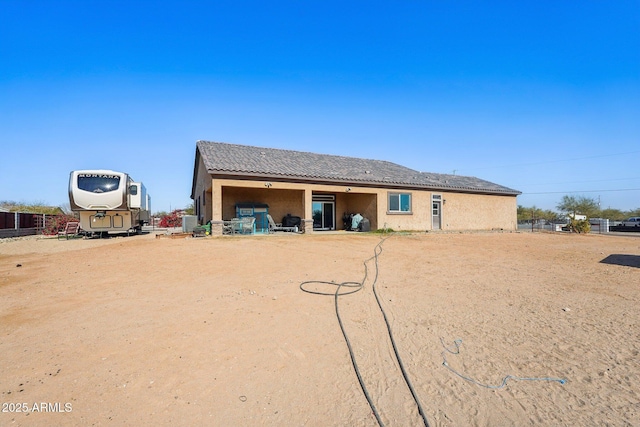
pixel 231 180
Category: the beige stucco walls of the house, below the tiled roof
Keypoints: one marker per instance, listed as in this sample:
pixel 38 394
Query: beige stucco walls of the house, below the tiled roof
pixel 459 211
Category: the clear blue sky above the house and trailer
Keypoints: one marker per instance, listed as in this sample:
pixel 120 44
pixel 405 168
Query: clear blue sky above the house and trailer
pixel 540 96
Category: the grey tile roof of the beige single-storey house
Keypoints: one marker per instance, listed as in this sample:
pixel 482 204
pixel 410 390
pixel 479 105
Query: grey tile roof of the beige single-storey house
pixel 271 163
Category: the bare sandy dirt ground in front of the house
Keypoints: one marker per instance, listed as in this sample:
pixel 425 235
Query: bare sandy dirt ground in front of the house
pixel 217 331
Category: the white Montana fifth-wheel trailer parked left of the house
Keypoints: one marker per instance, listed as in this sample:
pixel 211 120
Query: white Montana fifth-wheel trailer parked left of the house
pixel 108 201
